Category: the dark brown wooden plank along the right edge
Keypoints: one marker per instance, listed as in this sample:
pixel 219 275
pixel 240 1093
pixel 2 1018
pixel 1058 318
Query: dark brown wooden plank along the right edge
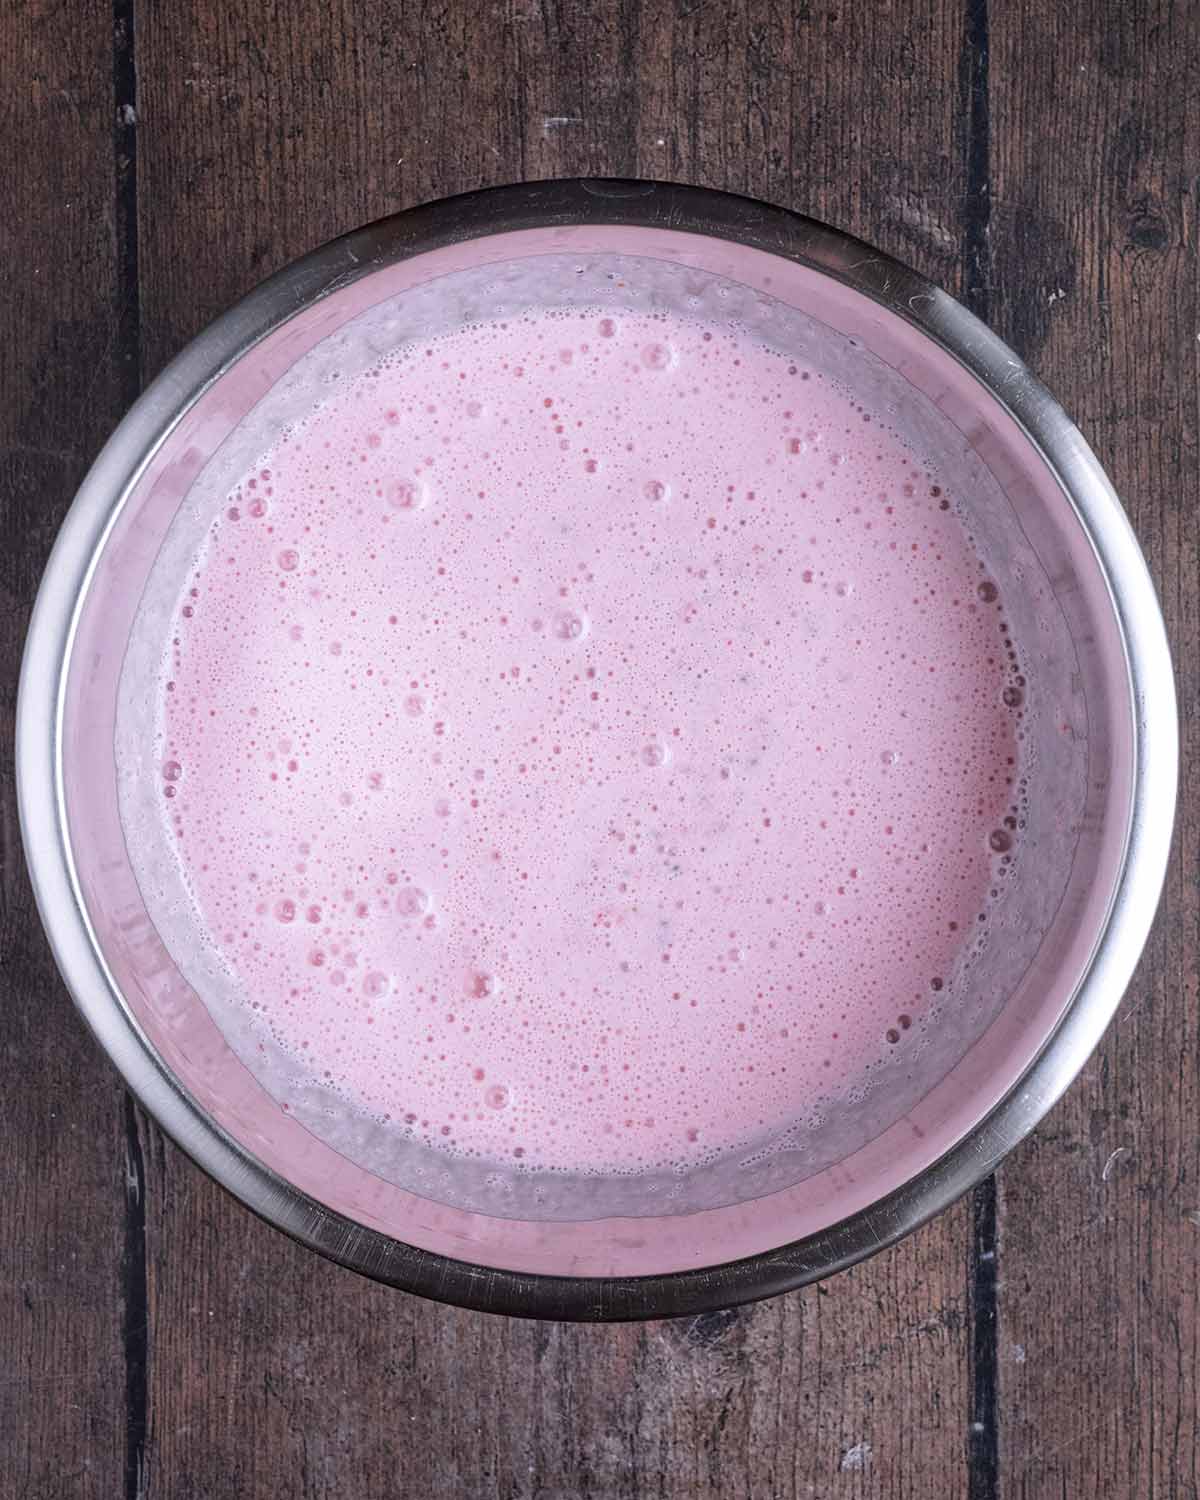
pixel 1096 281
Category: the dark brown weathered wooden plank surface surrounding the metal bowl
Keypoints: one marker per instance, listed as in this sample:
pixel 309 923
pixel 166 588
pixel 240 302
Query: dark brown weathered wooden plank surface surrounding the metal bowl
pixel 1042 160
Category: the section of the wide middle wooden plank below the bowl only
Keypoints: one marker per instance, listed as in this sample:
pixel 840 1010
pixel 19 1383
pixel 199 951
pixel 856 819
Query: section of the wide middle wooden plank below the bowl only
pixel 271 1366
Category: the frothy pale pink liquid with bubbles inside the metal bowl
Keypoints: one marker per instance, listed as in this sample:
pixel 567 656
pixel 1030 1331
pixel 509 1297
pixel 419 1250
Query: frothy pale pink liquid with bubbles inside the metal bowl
pixel 590 742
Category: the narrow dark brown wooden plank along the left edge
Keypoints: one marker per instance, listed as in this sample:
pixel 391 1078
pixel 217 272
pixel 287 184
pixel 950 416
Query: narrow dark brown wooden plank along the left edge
pixel 62 1169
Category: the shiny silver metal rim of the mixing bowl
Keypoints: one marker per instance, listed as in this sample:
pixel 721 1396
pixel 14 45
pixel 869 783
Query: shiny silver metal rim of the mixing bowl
pixel 590 202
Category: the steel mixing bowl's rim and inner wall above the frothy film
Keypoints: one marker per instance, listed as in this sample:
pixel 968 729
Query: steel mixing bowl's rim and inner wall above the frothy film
pixel 1057 502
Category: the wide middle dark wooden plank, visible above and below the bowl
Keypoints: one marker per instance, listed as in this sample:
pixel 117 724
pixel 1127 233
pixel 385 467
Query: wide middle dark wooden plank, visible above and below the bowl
pixel 271 1370
